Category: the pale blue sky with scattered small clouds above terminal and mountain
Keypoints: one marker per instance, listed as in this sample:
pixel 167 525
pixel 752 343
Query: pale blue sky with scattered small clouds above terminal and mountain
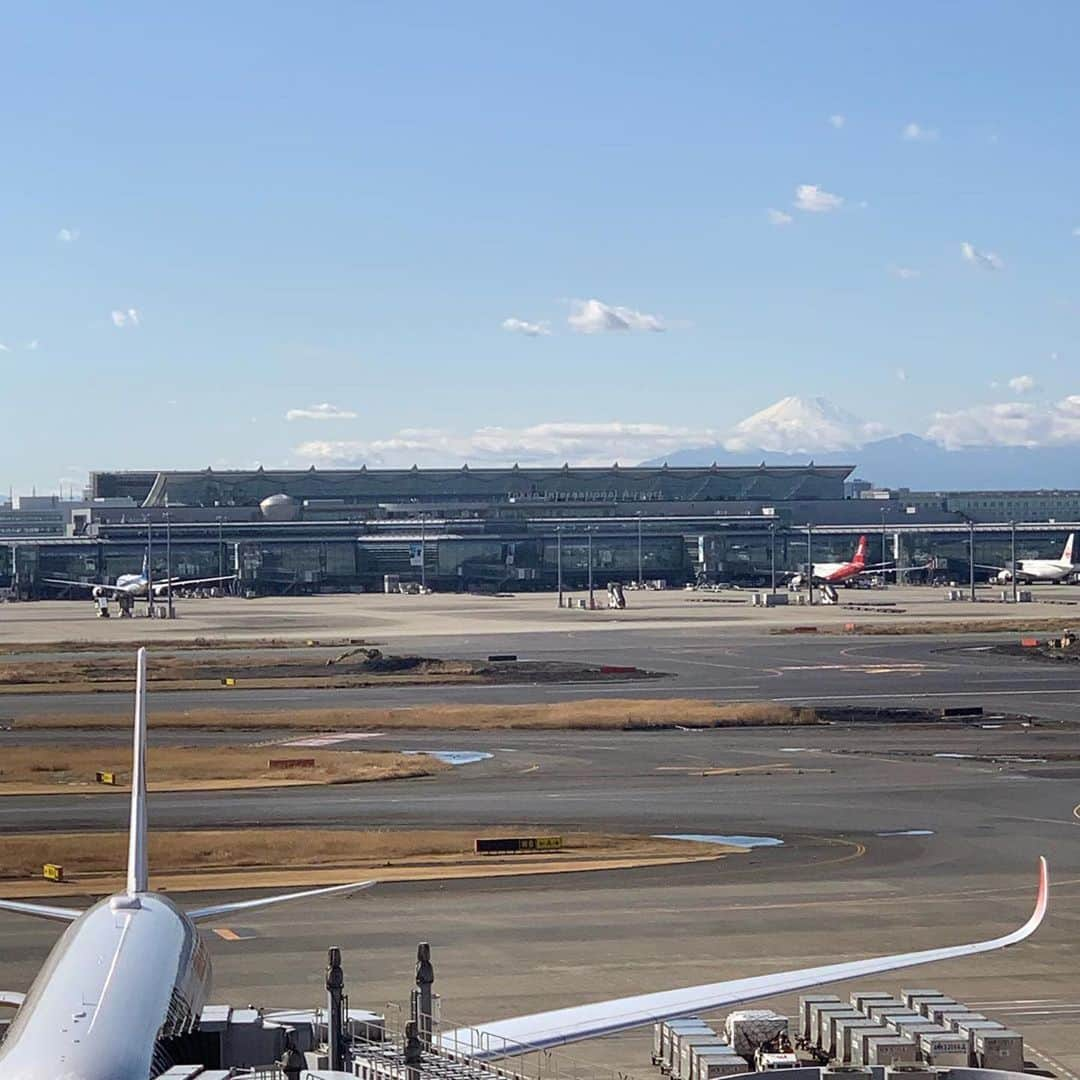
pixel 219 214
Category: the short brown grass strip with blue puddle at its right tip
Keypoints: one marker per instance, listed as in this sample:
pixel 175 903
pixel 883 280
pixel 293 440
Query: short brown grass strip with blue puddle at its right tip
pixel 77 765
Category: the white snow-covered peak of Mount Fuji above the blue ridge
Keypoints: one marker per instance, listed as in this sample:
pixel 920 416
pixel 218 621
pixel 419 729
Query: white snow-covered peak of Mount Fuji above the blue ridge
pixel 802 425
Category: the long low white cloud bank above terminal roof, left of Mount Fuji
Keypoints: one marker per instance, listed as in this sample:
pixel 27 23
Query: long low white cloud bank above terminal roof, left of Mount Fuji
pixel 544 444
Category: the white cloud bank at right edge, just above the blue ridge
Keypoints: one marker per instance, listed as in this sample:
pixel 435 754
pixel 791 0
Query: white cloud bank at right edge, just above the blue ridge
pixel 1010 424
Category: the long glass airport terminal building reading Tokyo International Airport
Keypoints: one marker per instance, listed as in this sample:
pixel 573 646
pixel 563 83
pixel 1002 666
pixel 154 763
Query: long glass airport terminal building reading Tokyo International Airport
pixel 490 530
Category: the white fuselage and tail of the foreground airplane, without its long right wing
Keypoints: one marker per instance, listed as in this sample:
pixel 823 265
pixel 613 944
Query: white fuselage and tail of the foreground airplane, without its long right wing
pixel 127 974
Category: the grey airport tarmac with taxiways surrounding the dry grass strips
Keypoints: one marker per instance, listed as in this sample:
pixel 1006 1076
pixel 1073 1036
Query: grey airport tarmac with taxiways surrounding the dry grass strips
pixel 894 838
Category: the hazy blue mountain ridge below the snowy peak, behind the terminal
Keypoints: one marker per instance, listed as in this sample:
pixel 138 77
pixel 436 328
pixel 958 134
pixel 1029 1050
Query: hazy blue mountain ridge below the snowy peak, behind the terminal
pixel 915 463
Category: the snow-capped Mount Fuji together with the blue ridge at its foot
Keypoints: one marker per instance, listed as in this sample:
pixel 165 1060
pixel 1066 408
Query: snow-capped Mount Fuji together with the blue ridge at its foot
pixel 798 430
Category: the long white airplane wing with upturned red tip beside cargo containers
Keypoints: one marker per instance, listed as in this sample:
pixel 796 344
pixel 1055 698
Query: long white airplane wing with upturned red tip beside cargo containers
pixel 541 1031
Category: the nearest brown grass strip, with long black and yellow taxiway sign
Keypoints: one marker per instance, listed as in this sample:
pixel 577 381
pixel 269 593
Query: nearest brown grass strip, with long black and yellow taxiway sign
pixel 22 856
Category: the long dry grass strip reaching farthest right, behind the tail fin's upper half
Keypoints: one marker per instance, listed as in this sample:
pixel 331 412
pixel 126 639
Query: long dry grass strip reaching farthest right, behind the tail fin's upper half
pixel 616 714
